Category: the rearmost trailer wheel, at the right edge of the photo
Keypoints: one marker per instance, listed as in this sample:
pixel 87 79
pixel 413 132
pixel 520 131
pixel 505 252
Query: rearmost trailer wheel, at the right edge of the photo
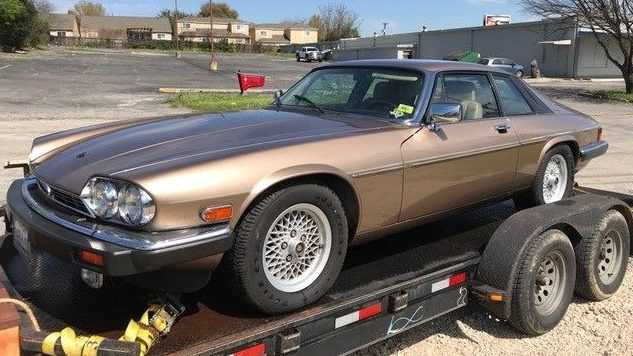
pixel 603 258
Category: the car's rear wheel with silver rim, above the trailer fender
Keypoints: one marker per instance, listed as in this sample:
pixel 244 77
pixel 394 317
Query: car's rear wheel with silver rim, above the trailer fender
pixel 554 179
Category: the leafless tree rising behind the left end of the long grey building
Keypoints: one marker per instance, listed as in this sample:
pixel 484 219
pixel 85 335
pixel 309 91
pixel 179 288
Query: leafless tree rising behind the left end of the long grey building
pixel 335 21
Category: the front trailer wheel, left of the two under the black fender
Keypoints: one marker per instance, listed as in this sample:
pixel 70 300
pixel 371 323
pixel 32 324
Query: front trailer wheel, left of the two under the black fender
pixel 544 283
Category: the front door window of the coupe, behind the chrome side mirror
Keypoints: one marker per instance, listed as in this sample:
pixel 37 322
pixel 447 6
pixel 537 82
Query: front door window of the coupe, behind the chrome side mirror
pixel 472 91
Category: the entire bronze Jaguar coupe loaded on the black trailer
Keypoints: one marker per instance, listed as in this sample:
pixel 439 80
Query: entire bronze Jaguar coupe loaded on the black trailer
pixel 353 151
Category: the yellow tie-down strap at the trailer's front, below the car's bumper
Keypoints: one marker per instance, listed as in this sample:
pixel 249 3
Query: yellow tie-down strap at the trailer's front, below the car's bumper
pixel 153 324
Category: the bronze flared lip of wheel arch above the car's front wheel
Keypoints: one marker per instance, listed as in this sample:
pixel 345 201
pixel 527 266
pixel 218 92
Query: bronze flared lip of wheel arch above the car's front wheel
pixel 289 173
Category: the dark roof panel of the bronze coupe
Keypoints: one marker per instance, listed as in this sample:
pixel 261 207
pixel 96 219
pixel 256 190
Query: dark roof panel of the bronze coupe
pixel 424 65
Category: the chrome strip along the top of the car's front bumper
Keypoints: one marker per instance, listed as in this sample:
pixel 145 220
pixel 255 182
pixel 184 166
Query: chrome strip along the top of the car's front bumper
pixel 146 241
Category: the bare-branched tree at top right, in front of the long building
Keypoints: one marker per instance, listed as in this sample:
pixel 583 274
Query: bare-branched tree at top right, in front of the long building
pixel 610 21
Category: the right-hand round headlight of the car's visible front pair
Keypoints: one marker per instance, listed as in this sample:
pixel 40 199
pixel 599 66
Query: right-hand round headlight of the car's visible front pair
pixel 135 206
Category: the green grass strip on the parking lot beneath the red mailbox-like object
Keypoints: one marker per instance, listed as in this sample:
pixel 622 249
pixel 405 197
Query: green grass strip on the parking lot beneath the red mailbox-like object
pixel 219 102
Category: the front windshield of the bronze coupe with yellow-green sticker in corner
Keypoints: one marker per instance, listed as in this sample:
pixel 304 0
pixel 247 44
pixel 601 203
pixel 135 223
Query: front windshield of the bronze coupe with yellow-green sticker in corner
pixel 383 93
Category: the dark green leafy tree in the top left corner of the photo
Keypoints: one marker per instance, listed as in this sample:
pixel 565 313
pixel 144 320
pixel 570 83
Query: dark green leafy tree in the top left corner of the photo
pixel 17 18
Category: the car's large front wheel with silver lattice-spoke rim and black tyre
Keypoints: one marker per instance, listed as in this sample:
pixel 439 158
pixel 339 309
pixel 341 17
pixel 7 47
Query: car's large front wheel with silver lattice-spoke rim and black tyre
pixel 289 248
